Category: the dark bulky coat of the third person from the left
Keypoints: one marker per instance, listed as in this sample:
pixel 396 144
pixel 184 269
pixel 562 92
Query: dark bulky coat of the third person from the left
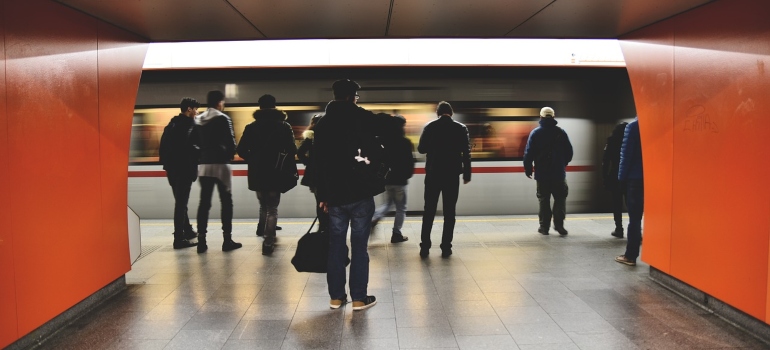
pixel 262 141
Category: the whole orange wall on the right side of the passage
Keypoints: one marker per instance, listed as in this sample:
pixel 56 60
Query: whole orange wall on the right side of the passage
pixel 701 82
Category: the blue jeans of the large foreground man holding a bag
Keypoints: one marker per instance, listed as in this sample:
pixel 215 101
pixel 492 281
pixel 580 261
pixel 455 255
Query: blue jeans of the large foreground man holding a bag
pixel 358 216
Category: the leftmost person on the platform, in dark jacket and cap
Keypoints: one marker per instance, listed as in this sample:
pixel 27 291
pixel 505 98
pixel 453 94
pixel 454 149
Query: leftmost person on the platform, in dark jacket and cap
pixel 179 155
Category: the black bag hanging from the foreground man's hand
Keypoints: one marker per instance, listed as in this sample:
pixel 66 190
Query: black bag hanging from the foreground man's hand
pixel 312 253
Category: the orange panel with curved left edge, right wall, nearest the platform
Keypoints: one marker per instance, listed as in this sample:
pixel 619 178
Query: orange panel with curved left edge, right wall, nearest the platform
pixel 649 57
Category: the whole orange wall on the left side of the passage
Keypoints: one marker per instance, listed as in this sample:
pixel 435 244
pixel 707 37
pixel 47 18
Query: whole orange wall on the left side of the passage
pixel 70 87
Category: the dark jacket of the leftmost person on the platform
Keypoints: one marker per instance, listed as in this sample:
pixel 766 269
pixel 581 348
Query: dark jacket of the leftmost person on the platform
pixel 179 150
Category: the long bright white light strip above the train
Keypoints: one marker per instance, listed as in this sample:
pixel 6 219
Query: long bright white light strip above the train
pixel 385 52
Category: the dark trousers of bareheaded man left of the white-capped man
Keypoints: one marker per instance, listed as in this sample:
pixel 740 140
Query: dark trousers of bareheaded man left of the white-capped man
pixel 448 188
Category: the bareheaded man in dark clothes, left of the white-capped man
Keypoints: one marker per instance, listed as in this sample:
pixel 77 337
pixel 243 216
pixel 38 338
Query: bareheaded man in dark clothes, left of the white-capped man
pixel 446 144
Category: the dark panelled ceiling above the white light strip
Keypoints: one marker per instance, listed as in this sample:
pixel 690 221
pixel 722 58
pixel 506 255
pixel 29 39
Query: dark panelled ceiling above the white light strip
pixel 222 20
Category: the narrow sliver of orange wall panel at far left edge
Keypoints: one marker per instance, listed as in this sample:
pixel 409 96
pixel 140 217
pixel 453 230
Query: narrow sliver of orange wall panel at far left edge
pixel 8 324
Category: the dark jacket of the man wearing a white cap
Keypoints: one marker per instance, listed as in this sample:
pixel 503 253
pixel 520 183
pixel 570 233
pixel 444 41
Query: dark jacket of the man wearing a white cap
pixel 549 148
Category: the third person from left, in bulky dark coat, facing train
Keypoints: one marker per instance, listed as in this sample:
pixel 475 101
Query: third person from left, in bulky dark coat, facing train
pixel 267 136
